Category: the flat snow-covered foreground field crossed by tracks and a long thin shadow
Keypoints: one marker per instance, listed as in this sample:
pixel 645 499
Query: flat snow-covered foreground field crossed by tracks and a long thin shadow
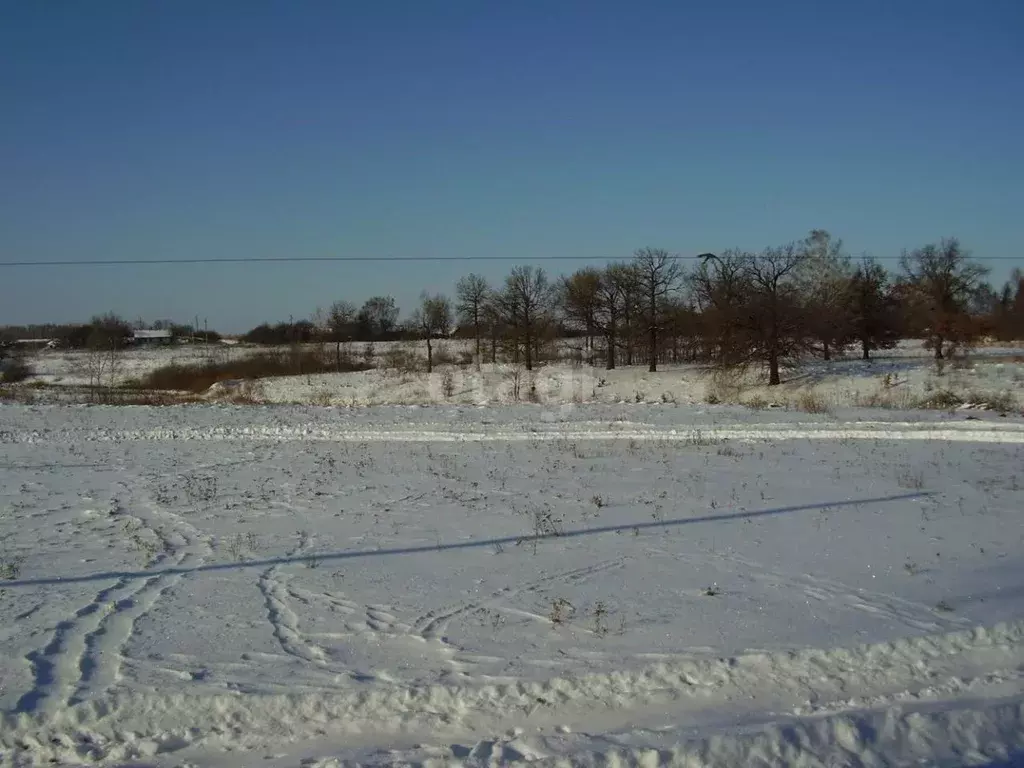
pixel 567 585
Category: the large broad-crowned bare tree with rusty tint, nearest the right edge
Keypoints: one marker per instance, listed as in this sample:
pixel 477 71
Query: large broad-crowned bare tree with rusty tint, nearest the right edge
pixel 944 280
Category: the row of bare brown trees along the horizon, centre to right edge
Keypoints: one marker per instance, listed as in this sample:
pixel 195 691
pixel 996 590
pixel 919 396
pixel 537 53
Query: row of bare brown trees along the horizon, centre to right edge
pixel 772 309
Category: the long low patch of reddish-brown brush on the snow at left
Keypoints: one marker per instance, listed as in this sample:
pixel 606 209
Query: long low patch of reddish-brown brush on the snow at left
pixel 201 378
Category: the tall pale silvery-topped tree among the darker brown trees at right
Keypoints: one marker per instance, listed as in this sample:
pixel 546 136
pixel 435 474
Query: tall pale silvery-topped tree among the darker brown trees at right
pixel 827 278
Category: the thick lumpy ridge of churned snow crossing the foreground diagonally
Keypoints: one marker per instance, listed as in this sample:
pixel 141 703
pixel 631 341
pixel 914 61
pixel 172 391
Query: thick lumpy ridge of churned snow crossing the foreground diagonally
pixel 118 726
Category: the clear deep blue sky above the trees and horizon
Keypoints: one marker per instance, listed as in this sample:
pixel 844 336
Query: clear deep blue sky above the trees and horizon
pixel 534 129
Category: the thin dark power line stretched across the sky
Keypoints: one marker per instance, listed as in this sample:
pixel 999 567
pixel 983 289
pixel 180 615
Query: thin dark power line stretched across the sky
pixel 300 260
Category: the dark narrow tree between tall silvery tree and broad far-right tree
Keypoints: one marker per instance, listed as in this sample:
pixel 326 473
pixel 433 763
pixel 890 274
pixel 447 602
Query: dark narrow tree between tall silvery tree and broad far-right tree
pixel 874 309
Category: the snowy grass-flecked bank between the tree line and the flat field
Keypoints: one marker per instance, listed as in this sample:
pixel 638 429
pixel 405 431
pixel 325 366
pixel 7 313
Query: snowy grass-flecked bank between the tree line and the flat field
pixel 901 378
